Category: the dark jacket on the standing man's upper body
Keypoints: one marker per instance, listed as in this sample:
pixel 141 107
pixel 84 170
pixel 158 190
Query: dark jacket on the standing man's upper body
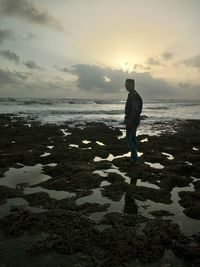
pixel 134 105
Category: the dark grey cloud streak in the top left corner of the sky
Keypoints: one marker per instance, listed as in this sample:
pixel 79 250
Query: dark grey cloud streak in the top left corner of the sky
pixel 30 12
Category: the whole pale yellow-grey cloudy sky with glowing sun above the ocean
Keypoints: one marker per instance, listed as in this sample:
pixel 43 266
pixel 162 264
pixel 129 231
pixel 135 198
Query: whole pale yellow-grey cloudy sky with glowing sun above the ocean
pixel 88 48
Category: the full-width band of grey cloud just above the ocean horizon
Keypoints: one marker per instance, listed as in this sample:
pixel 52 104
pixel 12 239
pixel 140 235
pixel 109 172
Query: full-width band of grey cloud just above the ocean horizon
pixel 91 82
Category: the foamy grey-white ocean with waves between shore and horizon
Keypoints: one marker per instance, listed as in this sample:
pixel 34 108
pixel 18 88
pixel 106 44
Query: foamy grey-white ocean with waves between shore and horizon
pixel 111 112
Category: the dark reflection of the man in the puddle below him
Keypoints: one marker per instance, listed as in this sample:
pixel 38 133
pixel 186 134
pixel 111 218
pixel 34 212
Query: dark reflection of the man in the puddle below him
pixel 130 205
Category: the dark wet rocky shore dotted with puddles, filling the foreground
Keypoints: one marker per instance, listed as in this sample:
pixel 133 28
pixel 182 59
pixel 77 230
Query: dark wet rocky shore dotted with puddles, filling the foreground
pixel 70 197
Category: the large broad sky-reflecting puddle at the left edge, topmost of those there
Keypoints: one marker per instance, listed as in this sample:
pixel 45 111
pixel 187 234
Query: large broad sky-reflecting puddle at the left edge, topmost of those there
pixel 26 175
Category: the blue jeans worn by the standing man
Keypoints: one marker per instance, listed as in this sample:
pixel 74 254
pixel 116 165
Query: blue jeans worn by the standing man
pixel 131 140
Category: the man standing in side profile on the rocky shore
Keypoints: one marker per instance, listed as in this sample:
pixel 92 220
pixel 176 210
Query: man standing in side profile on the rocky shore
pixel 133 110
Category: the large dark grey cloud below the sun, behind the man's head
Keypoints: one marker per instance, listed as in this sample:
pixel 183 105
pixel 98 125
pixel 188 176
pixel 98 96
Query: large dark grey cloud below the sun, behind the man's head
pixel 94 79
